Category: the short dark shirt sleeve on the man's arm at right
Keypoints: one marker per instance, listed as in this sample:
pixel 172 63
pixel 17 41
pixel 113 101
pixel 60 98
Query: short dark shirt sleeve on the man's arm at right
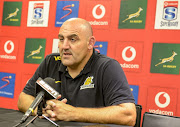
pixel 115 85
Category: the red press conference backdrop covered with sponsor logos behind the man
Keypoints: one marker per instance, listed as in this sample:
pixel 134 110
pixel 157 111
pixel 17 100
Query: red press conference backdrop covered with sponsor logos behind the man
pixel 142 35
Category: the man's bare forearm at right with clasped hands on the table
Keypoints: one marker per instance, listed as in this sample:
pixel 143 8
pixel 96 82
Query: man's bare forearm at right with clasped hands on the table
pixel 124 114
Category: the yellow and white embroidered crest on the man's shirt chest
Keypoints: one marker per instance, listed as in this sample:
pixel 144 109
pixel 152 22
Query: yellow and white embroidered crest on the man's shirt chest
pixel 88 83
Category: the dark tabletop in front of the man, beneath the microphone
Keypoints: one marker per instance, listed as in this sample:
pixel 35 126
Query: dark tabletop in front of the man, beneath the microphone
pixel 9 118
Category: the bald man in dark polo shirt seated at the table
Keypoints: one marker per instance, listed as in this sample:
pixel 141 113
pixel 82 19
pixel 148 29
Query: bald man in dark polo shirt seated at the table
pixel 93 87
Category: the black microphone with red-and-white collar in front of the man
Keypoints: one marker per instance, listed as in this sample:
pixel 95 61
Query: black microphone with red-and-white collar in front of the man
pixel 44 91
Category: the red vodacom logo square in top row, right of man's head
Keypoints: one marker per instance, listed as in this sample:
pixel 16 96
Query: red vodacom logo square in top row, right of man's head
pixel 98 14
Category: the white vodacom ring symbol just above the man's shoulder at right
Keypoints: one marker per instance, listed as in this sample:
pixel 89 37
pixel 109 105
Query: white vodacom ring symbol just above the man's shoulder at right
pixel 132 56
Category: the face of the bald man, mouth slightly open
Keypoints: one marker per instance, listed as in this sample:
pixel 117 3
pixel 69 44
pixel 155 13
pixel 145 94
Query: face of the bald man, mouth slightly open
pixel 73 45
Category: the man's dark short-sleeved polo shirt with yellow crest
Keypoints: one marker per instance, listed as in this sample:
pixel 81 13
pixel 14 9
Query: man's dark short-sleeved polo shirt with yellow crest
pixel 102 82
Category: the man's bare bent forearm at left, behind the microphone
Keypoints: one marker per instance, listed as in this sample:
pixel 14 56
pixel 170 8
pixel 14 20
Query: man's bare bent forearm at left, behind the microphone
pixel 24 101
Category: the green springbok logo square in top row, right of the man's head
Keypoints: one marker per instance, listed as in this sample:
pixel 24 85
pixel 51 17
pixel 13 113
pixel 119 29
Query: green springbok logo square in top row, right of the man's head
pixel 132 14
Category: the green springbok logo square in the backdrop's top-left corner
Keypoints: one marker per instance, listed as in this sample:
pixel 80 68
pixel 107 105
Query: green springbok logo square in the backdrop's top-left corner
pixel 12 13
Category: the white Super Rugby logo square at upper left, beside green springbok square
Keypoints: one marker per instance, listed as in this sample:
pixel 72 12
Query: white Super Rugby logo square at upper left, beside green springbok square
pixel 38 14
